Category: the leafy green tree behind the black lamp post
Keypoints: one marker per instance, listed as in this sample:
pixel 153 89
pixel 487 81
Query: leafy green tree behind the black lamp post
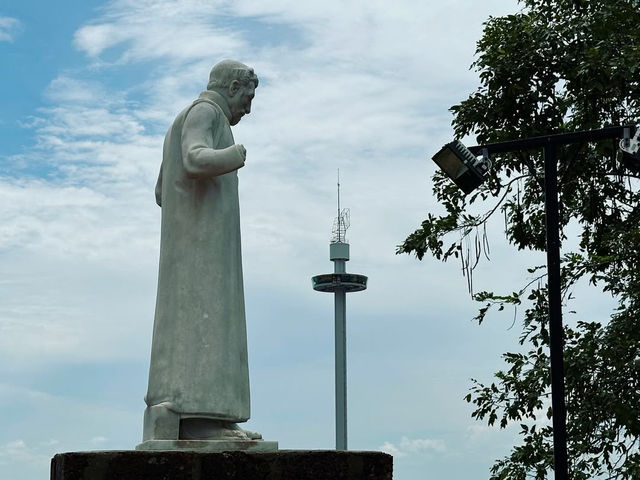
pixel 557 66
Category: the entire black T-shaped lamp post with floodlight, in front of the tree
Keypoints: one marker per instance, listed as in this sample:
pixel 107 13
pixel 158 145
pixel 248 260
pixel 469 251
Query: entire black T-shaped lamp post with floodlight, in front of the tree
pixel 468 172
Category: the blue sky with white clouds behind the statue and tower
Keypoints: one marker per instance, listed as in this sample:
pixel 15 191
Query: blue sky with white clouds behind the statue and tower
pixel 88 91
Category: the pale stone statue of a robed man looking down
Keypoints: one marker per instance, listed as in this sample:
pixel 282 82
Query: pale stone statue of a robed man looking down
pixel 199 379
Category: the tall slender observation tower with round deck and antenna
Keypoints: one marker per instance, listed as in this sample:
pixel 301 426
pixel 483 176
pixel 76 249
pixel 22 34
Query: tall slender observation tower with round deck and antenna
pixel 340 283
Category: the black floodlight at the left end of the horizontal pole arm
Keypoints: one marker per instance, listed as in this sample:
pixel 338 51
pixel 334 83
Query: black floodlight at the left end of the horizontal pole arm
pixel 466 170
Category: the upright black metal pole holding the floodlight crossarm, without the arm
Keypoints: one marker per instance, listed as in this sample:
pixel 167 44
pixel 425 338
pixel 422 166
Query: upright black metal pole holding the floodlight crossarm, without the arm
pixel 556 334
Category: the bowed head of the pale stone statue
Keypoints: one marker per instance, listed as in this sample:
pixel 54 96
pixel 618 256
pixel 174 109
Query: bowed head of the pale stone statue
pixel 237 84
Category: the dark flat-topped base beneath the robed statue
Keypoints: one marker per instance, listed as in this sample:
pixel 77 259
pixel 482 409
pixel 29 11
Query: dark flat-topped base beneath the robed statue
pixel 233 465
